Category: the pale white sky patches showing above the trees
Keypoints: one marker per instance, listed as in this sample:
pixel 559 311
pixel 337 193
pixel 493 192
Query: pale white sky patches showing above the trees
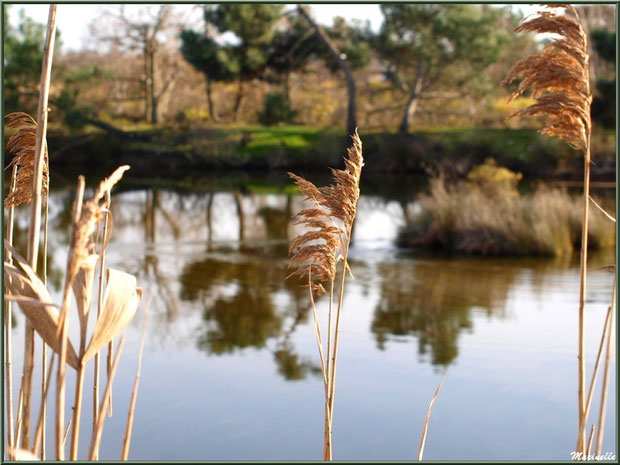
pixel 74 21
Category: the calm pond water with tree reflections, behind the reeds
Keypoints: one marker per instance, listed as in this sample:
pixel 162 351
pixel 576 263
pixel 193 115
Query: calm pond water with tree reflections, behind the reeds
pixel 231 369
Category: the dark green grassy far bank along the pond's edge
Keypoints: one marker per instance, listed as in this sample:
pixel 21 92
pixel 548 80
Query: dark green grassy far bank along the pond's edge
pixel 456 150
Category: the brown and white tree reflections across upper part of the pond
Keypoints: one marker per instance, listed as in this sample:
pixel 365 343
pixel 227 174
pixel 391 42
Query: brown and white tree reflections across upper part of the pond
pixel 223 256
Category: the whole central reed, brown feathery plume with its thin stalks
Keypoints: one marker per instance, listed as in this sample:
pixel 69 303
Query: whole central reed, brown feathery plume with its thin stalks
pixel 321 252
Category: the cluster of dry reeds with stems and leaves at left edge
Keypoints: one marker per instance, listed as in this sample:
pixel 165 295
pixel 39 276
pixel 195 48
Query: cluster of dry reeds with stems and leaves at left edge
pixel 45 319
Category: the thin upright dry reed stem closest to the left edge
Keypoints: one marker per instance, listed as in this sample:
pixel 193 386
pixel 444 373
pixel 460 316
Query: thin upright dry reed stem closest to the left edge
pixel 8 318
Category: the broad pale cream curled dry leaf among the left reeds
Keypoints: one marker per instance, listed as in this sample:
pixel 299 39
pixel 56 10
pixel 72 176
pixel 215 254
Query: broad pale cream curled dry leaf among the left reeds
pixel 120 303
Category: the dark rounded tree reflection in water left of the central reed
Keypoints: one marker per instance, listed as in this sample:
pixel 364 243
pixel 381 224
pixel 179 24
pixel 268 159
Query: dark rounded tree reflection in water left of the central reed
pixel 237 292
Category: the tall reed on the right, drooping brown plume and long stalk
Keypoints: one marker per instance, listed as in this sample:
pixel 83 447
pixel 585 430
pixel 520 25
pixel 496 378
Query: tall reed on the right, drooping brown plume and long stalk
pixel 559 79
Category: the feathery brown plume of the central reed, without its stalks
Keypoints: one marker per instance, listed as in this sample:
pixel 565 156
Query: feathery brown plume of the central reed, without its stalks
pixel 329 219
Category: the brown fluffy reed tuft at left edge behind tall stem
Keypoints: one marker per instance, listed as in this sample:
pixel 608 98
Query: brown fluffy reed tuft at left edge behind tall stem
pixel 22 144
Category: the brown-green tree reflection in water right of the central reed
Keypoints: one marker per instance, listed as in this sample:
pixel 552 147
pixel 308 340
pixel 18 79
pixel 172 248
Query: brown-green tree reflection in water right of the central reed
pixel 434 302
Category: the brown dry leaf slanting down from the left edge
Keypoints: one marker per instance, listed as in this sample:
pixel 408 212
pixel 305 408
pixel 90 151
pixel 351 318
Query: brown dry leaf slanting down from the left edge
pixel 41 312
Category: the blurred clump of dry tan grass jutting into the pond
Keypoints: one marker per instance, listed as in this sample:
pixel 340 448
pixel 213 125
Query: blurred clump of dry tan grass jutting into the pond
pixel 491 218
